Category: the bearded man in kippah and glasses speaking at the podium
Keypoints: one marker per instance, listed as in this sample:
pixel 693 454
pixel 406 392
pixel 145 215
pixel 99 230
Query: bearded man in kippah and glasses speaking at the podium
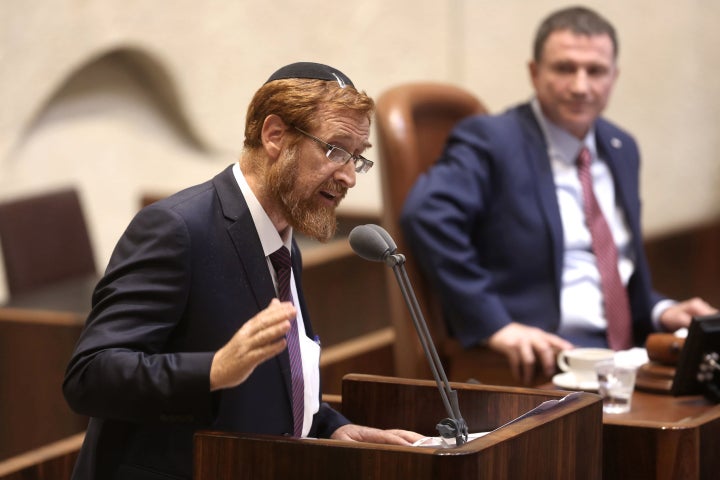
pixel 200 320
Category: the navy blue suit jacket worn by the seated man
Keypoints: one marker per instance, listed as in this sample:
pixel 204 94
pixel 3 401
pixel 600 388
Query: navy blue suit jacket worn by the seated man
pixel 485 226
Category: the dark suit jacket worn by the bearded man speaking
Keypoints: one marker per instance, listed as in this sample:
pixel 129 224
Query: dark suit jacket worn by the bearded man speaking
pixel 184 277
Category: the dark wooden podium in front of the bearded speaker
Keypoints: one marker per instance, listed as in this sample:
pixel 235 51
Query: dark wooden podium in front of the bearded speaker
pixel 564 442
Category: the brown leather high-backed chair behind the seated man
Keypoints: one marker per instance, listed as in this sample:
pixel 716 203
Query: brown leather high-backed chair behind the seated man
pixel 413 121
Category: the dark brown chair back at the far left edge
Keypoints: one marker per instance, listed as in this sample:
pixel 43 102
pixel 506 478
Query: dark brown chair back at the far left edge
pixel 44 240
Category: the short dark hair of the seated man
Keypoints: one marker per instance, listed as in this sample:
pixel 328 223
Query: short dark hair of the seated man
pixel 579 20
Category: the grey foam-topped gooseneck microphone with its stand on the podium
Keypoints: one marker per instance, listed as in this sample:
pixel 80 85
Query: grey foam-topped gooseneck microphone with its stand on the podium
pixel 374 243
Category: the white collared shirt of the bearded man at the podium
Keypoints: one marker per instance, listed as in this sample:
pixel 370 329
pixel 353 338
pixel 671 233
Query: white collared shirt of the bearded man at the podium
pixel 309 349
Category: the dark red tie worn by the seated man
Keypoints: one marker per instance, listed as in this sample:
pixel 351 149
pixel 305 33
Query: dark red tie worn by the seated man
pixel 615 299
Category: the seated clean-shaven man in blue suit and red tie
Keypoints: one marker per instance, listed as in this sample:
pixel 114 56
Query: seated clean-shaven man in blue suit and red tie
pixel 530 251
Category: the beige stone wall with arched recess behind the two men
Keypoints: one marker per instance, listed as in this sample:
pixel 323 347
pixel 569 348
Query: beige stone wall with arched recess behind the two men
pixel 72 111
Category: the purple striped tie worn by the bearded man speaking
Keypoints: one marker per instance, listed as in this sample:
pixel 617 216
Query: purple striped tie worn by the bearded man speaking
pixel 281 262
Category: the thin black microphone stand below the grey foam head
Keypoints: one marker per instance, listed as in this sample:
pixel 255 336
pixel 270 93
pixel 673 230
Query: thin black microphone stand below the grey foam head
pixel 454 426
